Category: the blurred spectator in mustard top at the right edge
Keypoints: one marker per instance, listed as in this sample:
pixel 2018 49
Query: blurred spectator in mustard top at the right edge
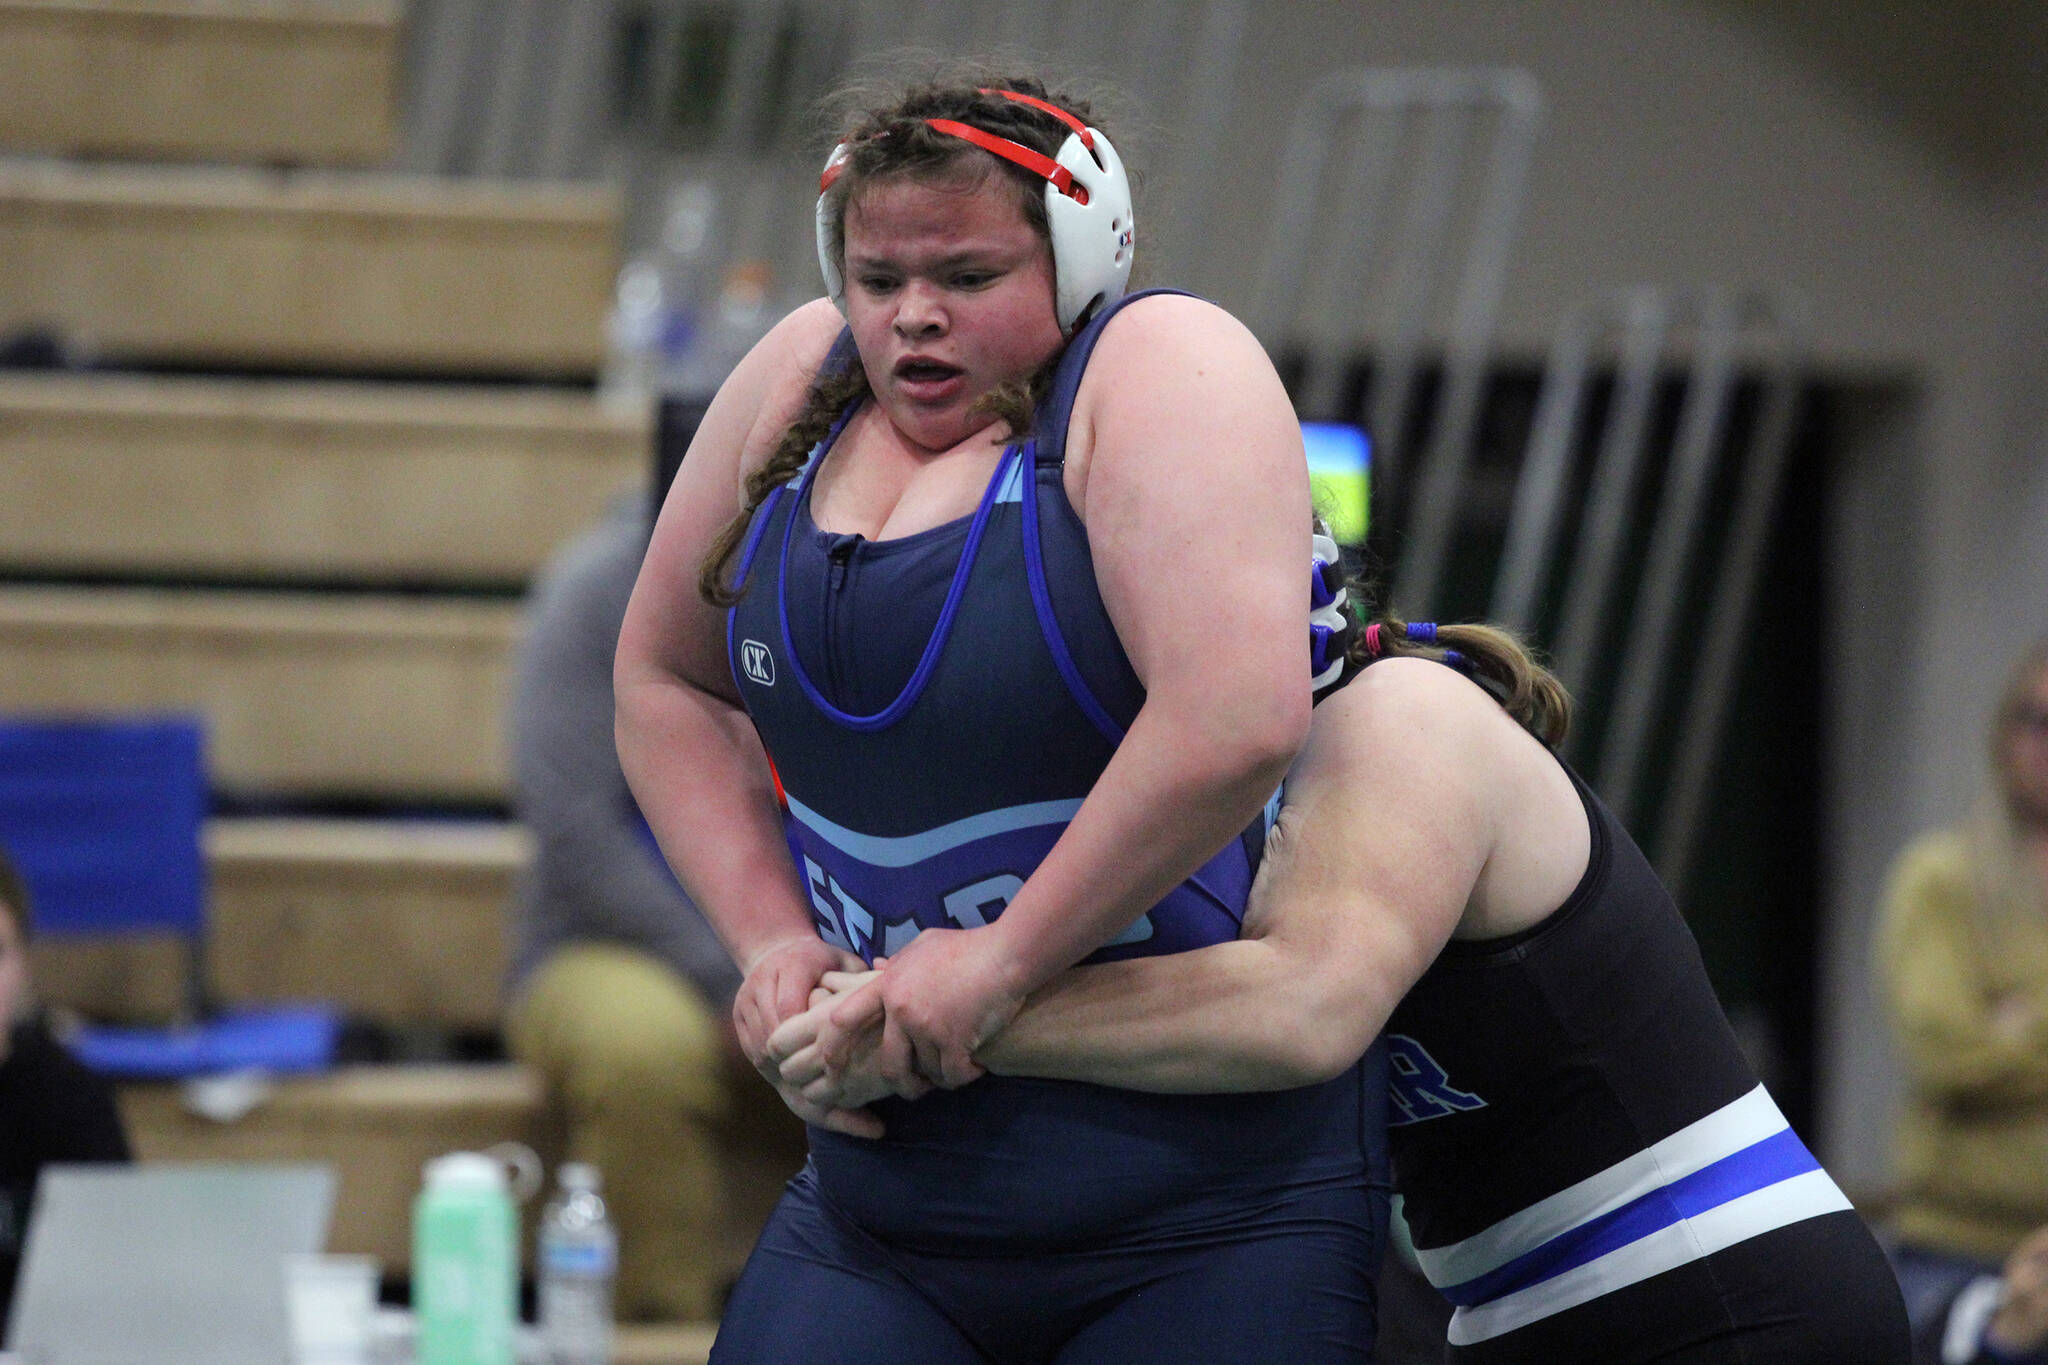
pixel 1963 955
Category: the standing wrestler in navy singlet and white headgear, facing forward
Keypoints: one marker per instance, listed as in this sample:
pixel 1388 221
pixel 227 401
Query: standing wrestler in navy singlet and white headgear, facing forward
pixel 1000 590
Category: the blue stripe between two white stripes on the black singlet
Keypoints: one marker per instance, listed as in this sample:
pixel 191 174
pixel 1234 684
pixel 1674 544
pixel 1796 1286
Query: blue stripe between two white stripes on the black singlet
pixel 1756 1168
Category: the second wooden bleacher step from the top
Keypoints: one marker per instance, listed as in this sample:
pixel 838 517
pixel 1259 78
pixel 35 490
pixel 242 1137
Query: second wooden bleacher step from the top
pixel 310 269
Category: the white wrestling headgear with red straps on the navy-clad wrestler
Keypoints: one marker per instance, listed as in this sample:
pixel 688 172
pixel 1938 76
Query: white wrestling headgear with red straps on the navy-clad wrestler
pixel 1086 206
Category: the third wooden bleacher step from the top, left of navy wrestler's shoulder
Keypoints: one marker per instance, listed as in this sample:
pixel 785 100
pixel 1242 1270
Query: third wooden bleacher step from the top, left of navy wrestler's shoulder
pixel 292 480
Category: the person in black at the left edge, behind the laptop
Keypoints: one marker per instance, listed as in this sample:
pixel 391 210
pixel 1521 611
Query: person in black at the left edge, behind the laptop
pixel 52 1110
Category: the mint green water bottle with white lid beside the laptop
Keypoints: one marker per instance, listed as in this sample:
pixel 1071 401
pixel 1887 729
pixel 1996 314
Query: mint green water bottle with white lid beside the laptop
pixel 466 1264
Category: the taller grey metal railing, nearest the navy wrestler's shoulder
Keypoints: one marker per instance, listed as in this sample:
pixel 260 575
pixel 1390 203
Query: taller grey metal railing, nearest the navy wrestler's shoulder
pixel 1449 150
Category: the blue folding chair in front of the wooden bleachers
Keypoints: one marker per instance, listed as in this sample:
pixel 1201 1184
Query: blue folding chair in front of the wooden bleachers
pixel 103 818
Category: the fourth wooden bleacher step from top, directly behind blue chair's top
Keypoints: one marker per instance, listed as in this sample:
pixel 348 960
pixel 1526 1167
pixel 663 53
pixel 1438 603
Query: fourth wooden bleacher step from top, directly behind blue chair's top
pixel 318 695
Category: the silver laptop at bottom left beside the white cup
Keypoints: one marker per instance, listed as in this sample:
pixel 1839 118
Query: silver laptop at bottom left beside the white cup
pixel 165 1264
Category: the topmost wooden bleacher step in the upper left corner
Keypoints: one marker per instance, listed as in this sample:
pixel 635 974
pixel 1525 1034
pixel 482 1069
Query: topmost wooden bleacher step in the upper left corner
pixel 234 81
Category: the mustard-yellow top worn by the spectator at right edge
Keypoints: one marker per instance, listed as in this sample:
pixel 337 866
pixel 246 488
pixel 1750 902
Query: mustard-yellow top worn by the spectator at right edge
pixel 1973 1141
